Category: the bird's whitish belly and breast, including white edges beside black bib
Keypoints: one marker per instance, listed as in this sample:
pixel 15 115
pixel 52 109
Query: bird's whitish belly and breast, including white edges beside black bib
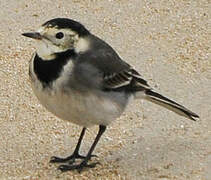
pixel 84 109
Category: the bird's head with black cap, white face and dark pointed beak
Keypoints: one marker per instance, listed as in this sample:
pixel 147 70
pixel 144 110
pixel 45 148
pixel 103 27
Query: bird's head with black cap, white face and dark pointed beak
pixel 60 35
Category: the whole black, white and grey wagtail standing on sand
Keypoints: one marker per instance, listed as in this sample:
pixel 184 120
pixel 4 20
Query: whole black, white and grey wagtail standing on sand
pixel 81 79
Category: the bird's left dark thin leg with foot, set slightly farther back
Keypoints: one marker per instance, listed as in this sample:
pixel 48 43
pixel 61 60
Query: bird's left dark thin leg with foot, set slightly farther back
pixel 75 154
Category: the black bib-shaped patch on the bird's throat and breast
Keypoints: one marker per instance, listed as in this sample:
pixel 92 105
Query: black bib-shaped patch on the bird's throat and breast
pixel 49 70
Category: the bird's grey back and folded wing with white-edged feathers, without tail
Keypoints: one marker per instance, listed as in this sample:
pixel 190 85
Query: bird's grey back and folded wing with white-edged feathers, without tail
pixel 106 70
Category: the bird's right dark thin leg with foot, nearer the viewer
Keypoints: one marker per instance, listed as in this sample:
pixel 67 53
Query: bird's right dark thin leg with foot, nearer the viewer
pixel 84 162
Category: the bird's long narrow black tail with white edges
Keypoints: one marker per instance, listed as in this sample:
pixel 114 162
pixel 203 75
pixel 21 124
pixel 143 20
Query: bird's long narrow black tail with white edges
pixel 171 105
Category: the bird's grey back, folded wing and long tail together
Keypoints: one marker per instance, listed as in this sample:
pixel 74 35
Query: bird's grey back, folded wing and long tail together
pixel 106 70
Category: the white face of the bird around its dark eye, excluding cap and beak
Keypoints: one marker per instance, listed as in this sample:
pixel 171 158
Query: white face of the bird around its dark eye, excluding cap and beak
pixel 59 40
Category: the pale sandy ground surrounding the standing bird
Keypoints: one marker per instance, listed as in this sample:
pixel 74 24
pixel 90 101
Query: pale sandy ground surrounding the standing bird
pixel 167 41
